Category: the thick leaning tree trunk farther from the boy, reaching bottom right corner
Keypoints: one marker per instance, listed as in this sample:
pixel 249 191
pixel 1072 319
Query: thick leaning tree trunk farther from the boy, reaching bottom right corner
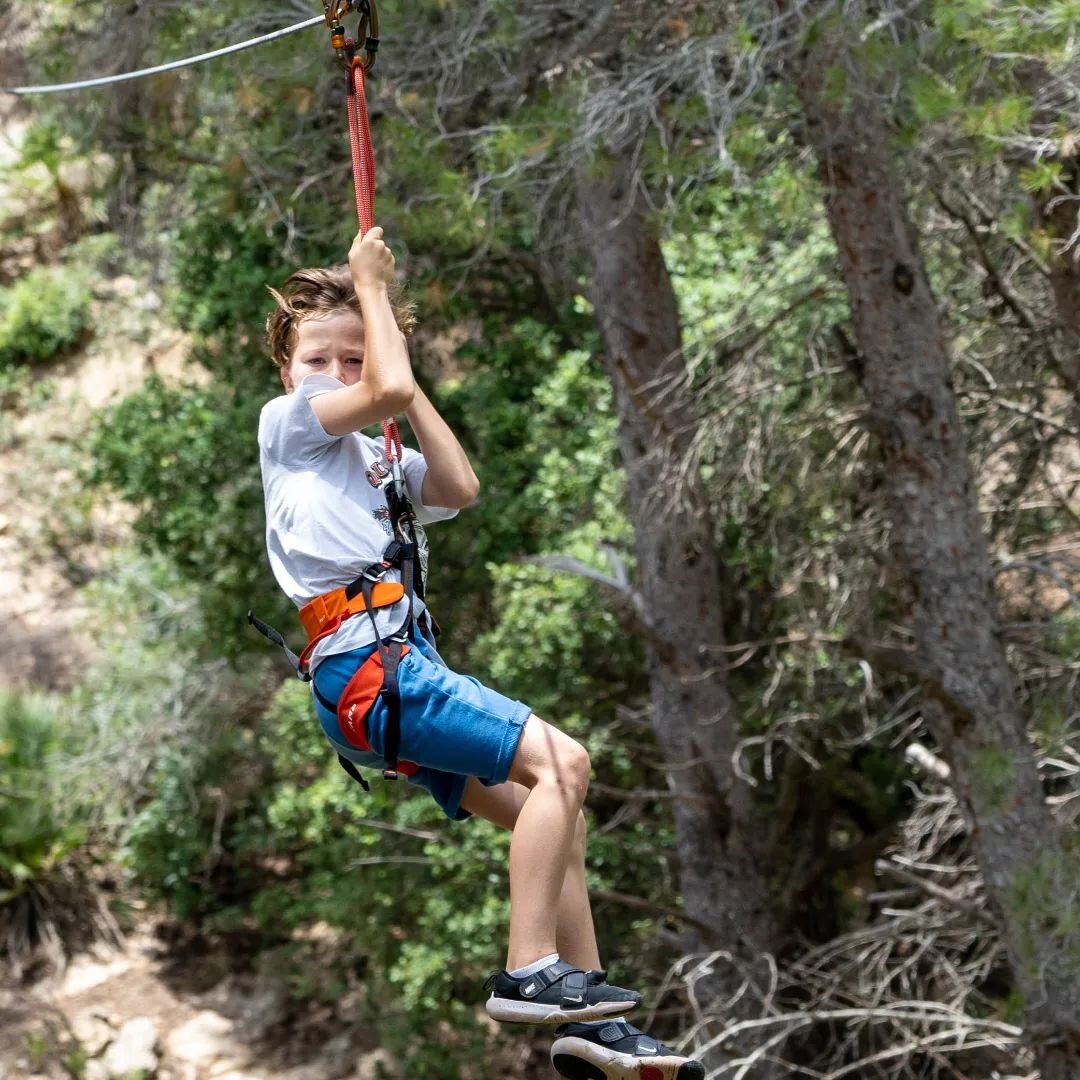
pixel 969 698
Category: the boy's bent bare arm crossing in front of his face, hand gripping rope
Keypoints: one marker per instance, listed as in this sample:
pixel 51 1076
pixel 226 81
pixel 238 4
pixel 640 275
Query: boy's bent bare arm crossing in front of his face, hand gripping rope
pixel 386 386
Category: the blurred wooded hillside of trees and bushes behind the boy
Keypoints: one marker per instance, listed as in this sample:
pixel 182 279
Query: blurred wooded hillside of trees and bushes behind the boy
pixel 761 322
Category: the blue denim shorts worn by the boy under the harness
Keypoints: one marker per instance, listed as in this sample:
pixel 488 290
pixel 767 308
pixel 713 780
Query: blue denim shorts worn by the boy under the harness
pixel 452 726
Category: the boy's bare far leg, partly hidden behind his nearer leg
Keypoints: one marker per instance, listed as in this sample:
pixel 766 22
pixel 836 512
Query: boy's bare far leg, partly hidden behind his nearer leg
pixel 575 935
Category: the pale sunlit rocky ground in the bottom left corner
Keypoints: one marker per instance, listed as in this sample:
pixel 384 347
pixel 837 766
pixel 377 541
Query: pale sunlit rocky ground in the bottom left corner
pixel 134 1012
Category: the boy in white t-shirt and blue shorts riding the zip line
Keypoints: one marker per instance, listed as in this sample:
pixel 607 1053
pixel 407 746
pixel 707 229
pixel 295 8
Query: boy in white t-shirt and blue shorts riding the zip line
pixel 341 349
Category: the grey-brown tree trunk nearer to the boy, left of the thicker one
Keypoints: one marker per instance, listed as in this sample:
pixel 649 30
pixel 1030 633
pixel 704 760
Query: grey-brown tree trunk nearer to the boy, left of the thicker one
pixel 724 885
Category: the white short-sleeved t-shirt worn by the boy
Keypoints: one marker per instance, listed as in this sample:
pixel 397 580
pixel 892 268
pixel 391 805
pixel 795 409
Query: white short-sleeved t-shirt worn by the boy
pixel 327 509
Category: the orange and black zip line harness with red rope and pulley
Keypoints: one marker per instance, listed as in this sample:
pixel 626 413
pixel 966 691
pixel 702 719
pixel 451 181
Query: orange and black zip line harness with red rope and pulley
pixel 377 678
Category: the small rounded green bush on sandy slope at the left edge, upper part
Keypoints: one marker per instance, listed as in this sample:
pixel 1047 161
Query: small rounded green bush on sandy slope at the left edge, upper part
pixel 44 315
